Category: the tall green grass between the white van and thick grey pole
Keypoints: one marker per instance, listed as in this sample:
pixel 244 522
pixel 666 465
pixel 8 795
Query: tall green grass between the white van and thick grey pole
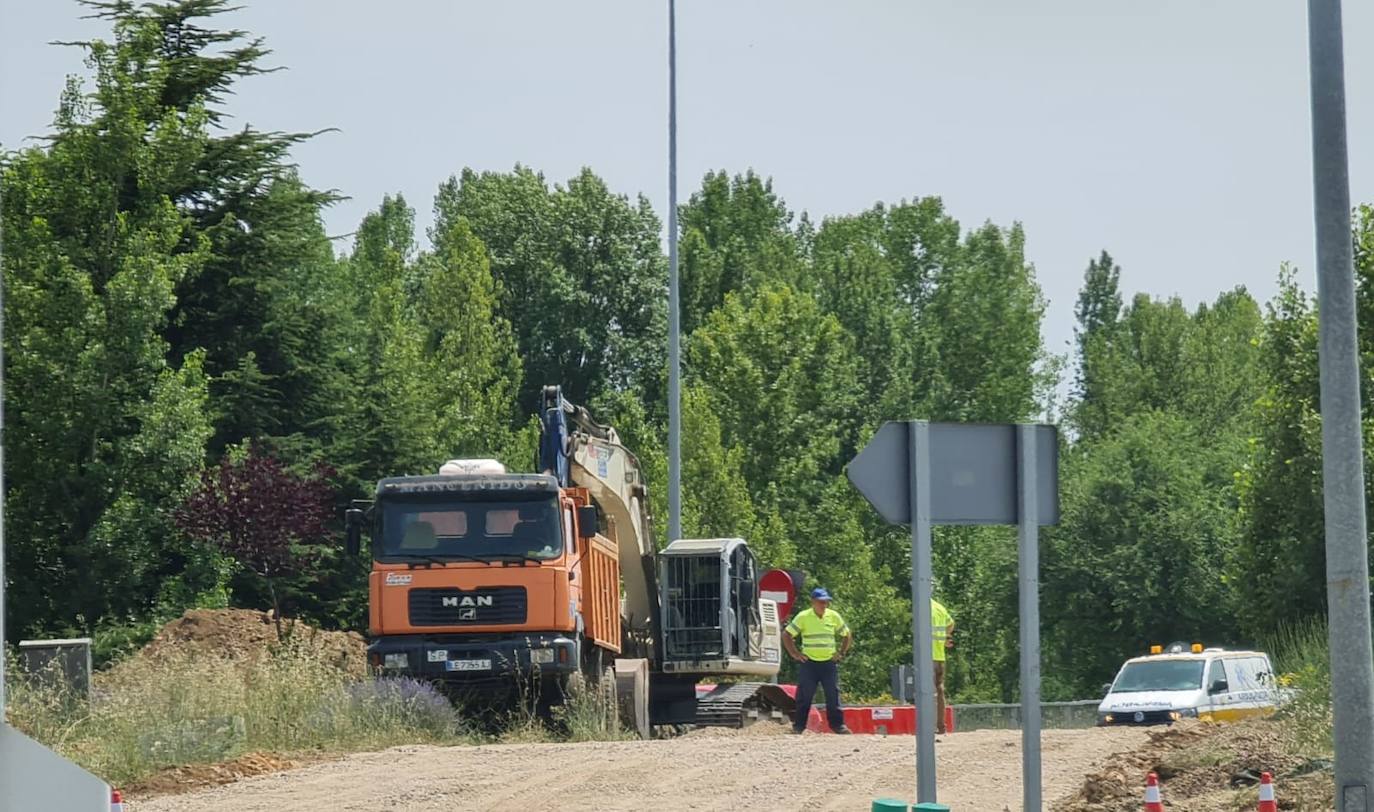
pixel 1302 657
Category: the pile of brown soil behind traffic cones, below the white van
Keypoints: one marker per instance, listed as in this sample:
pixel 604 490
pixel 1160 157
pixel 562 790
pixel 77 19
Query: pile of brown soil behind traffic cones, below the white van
pixel 1207 769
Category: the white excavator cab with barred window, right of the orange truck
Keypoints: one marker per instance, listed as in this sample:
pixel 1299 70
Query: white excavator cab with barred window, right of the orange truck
pixel 712 618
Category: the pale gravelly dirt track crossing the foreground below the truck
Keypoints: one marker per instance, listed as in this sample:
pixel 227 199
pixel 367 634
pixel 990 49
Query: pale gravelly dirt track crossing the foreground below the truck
pixel 711 770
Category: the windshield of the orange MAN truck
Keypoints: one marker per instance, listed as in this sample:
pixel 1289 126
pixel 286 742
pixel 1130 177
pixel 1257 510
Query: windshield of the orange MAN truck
pixel 466 530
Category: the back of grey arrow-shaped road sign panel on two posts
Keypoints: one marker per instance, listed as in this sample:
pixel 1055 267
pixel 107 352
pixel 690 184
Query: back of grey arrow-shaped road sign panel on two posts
pixel 973 471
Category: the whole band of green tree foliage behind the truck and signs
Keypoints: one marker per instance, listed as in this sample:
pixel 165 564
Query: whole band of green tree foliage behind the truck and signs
pixel 172 297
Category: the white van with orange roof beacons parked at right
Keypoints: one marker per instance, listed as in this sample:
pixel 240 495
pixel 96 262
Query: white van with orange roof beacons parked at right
pixel 1204 684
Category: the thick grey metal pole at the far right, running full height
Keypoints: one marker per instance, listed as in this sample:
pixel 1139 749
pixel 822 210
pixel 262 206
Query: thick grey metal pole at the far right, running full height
pixel 1343 472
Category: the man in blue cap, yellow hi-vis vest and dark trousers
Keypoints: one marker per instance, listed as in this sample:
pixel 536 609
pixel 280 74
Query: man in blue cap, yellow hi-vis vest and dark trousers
pixel 825 641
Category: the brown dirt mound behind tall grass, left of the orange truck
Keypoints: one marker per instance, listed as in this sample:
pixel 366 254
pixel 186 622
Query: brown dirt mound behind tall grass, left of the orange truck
pixel 245 634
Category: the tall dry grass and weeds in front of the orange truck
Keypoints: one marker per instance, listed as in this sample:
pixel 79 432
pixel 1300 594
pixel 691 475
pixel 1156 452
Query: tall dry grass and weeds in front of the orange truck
pixel 150 714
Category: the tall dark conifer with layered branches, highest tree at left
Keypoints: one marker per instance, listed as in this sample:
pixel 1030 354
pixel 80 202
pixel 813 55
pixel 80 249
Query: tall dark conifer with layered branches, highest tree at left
pixel 256 300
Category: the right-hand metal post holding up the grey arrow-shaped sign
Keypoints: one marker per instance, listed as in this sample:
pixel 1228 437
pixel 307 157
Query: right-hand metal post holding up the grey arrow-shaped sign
pixel 1028 549
